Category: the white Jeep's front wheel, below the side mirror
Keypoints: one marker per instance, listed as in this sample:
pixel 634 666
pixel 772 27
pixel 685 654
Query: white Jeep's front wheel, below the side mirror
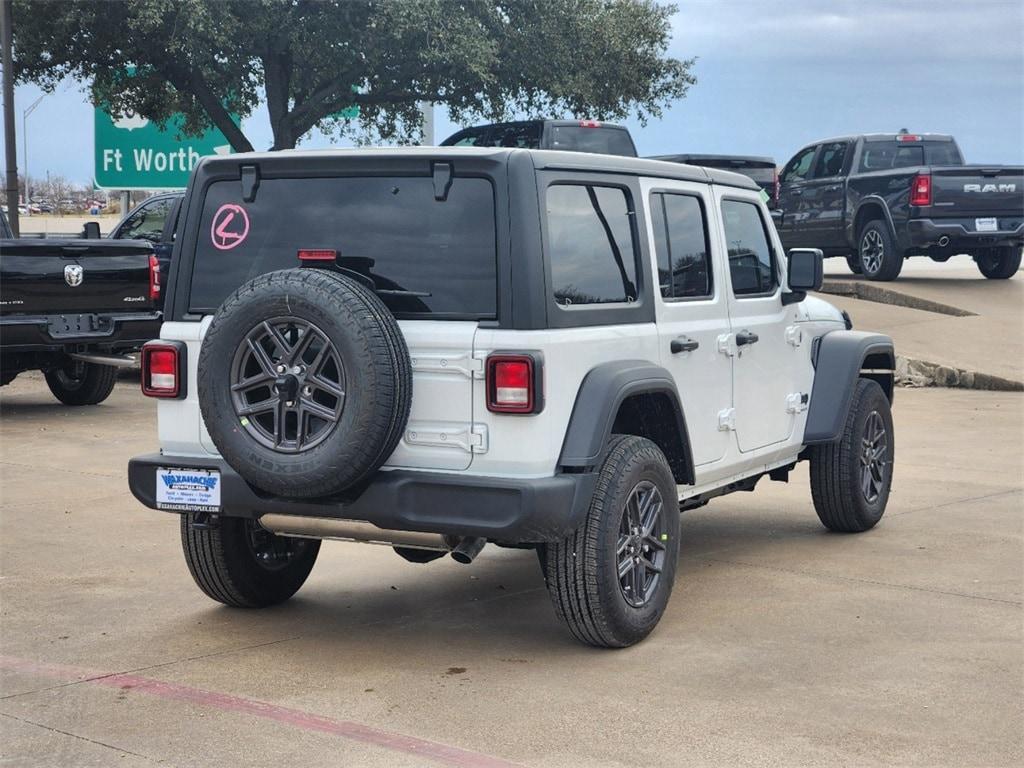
pixel 851 478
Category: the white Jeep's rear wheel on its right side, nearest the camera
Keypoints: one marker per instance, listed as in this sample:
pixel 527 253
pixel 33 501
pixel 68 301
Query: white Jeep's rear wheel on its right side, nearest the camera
pixel 611 581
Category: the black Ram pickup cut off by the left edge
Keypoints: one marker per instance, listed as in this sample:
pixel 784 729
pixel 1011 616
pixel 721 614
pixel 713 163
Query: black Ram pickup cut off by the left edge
pixel 74 310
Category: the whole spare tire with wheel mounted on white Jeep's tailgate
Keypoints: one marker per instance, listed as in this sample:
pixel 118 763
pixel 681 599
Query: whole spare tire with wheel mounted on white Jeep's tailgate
pixel 305 382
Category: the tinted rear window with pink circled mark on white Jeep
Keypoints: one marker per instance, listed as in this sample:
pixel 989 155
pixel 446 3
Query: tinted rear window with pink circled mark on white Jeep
pixel 437 258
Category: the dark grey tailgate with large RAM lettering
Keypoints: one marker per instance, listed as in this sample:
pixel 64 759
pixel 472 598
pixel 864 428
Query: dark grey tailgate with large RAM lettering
pixel 990 191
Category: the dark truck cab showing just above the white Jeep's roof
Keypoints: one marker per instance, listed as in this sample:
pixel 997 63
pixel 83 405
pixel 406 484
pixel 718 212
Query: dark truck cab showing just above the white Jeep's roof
pixel 565 136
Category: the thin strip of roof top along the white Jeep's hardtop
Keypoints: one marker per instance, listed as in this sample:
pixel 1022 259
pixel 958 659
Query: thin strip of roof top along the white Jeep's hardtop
pixel 306 160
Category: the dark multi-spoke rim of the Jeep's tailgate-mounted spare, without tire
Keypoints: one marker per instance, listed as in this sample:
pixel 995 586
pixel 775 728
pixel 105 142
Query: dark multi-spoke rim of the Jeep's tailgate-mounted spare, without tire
pixel 288 385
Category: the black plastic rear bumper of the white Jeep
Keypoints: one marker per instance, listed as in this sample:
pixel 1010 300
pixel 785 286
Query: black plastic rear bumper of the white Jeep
pixel 511 511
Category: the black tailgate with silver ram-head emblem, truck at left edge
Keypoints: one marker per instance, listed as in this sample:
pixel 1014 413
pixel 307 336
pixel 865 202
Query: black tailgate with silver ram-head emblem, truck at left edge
pixel 58 277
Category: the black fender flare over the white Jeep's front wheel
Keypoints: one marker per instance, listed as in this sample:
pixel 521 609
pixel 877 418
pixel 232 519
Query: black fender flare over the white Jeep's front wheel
pixel 839 360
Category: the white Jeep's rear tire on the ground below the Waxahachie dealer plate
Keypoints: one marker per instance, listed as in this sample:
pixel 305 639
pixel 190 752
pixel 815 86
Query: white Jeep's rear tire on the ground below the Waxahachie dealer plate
pixel 237 563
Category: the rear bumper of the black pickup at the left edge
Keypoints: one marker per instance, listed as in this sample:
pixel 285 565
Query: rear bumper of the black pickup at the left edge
pixel 25 333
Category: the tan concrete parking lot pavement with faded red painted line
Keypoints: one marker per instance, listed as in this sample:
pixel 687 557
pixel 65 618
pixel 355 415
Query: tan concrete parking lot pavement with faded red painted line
pixel 783 646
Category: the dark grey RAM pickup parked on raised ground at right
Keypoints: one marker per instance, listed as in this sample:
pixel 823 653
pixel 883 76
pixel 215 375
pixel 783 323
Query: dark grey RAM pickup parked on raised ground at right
pixel 881 198
